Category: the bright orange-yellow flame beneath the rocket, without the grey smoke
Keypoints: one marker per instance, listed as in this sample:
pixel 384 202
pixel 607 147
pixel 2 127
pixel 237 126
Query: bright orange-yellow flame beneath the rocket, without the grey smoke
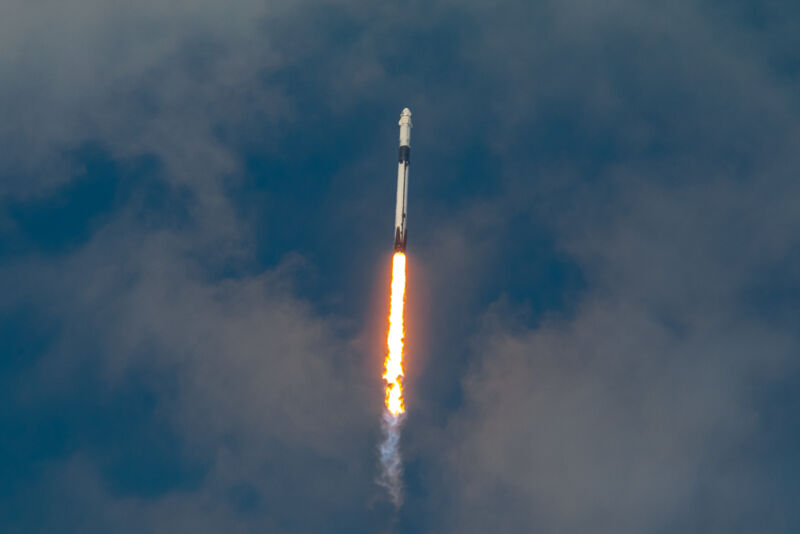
pixel 393 366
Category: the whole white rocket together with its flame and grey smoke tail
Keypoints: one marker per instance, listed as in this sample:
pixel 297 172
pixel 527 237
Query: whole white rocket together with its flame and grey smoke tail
pixel 391 462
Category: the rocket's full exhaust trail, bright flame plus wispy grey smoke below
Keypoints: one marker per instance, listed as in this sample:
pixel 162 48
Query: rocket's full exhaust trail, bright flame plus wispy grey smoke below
pixel 393 375
